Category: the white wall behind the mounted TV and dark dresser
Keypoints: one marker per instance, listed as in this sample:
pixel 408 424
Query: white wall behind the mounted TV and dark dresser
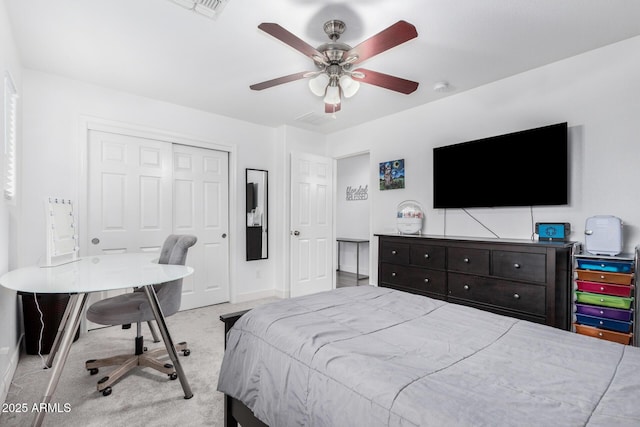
pixel 596 93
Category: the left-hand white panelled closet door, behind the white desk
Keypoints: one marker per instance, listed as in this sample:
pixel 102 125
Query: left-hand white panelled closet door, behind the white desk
pixel 129 197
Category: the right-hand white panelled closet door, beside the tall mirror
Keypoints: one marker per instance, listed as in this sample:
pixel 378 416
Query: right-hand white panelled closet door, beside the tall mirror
pixel 200 207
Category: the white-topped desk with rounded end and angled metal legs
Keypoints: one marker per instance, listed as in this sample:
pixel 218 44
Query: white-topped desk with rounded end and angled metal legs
pixel 96 274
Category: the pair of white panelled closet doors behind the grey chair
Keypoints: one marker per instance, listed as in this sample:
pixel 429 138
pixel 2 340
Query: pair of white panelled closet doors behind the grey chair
pixel 141 190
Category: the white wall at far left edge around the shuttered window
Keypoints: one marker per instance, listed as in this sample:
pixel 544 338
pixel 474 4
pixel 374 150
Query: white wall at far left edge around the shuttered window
pixel 9 310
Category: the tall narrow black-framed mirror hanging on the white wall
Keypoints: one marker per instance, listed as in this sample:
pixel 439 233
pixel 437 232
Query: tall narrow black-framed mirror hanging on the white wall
pixel 257 198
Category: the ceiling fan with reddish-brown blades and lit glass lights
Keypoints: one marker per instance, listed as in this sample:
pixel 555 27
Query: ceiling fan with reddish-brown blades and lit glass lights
pixel 335 76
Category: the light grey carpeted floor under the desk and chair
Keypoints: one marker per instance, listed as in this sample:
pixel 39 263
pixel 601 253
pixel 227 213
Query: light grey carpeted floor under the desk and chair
pixel 142 398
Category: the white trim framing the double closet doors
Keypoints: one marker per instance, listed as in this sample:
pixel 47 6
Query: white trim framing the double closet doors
pixel 89 123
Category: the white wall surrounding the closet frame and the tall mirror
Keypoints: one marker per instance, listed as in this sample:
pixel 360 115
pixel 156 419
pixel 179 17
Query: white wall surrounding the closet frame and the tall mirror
pixel 54 109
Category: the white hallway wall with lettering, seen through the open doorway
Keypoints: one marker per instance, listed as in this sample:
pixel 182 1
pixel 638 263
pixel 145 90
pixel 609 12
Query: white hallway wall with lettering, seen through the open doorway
pixel 352 216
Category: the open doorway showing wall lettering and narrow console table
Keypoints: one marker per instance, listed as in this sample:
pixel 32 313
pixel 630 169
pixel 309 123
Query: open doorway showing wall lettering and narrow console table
pixel 352 220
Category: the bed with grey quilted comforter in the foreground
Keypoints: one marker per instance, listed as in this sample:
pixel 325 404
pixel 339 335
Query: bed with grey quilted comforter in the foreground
pixel 370 356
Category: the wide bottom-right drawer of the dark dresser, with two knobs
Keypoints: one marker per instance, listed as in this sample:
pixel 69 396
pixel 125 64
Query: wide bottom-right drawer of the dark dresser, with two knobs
pixel 523 297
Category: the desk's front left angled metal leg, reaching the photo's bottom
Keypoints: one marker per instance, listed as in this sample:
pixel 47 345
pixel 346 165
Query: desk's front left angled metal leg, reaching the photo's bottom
pixel 69 330
